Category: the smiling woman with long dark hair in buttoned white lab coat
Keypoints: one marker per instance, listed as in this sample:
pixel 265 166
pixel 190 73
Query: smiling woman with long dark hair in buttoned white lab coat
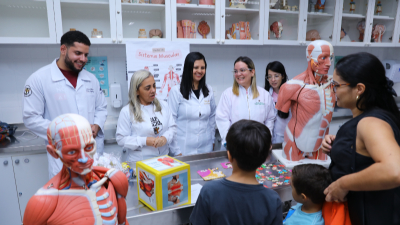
pixel 193 107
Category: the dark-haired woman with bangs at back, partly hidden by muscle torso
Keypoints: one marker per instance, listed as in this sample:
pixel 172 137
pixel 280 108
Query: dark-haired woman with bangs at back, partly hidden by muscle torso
pixel 275 76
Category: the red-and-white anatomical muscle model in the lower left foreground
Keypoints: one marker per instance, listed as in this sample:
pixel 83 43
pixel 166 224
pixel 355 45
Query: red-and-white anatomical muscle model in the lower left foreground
pixel 79 193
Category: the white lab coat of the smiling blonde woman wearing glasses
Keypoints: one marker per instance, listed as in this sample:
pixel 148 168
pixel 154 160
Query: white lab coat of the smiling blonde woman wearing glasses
pixel 232 108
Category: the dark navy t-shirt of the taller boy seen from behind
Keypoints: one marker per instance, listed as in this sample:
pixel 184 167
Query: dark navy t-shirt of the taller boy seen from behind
pixel 226 202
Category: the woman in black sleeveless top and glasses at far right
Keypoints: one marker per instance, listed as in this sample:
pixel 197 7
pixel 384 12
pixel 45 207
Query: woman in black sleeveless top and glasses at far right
pixel 365 152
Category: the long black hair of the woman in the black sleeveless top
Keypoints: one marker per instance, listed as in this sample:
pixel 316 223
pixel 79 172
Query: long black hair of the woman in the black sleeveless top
pixel 367 69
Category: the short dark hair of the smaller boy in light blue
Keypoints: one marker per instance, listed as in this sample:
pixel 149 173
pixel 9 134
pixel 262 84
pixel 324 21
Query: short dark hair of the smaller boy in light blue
pixel 311 180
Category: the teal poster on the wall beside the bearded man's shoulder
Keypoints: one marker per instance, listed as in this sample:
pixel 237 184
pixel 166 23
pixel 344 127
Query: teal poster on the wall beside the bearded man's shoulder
pixel 99 67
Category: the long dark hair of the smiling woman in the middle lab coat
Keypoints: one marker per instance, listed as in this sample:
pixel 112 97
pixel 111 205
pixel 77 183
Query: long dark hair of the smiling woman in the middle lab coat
pixel 187 75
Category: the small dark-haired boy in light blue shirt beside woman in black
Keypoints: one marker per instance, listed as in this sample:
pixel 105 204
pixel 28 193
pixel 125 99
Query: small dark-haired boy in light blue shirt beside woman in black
pixel 308 184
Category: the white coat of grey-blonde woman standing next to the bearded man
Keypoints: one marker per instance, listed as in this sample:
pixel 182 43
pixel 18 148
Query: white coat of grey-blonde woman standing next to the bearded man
pixel 131 135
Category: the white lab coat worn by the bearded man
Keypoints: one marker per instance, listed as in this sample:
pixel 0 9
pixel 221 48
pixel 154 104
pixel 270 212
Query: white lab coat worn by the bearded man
pixel 49 94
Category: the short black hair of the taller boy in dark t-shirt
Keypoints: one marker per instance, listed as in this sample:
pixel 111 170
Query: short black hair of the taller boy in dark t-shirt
pixel 249 143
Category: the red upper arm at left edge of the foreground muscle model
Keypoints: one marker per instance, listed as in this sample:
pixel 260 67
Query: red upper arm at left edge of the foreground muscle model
pixel 39 209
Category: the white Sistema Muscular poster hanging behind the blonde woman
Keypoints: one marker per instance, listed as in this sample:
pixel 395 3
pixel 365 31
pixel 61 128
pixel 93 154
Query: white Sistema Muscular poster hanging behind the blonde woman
pixel 163 59
